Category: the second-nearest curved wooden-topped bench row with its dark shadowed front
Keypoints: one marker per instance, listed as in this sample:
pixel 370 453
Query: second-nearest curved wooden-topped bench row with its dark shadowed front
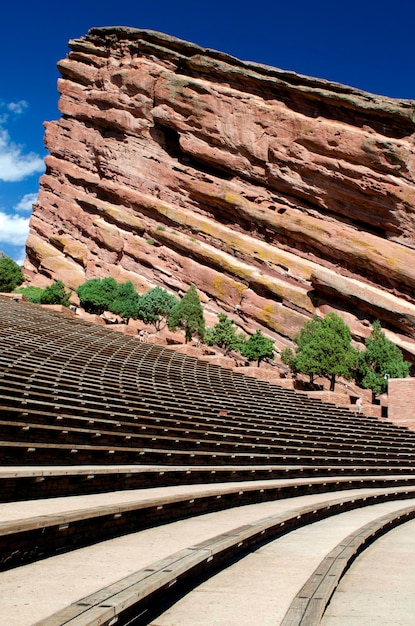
pixel 141 596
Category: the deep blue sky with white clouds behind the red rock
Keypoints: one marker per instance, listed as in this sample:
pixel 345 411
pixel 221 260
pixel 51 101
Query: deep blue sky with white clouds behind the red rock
pixel 364 43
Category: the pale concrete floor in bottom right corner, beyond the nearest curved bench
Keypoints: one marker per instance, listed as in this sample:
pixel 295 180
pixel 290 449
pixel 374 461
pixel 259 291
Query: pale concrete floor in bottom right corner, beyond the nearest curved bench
pixel 380 587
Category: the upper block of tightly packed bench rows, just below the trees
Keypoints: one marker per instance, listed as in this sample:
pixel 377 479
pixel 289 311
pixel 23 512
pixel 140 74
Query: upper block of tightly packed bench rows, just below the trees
pixel 238 420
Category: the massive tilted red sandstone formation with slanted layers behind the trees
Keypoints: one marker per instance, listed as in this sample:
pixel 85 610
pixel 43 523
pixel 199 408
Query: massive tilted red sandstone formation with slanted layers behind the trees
pixel 277 195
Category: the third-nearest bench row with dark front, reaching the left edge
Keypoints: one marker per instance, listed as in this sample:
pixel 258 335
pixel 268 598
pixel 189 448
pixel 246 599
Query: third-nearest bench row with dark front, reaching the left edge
pixel 27 539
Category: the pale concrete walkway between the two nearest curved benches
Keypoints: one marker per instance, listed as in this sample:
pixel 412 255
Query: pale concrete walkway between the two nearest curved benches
pixel 259 588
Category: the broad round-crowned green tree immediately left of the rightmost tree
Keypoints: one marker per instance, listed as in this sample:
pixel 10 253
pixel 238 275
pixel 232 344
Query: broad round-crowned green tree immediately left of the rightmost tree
pixel 324 349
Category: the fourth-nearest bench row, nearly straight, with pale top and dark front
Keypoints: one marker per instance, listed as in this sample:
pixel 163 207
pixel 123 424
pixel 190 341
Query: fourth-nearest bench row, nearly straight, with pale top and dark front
pixel 33 483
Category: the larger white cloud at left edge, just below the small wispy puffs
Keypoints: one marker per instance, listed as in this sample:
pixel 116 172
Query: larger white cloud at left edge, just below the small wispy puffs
pixel 14 164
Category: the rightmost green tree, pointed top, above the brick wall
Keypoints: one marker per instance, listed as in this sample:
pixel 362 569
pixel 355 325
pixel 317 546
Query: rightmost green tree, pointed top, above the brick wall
pixel 380 360
